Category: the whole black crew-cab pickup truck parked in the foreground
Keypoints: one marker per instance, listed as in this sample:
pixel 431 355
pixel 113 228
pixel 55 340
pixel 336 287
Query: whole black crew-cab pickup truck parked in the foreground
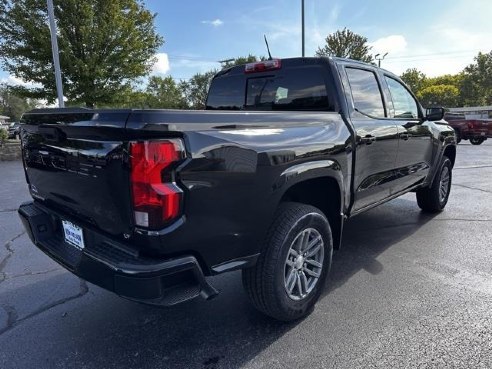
pixel 148 203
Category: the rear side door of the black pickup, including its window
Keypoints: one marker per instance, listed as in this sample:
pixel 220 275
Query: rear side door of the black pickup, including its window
pixel 376 139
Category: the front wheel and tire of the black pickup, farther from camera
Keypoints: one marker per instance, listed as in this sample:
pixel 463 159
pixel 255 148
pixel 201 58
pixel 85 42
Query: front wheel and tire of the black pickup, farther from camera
pixel 432 199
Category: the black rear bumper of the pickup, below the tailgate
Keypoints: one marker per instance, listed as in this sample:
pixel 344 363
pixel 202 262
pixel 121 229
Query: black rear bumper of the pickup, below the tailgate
pixel 114 266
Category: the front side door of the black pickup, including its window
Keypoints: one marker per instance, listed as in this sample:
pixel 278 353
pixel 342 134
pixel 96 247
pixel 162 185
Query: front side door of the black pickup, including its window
pixel 415 137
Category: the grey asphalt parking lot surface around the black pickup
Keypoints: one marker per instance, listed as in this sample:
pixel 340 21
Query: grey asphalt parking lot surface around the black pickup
pixel 407 290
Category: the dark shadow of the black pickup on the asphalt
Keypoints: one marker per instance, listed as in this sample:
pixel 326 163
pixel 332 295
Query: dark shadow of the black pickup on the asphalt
pixel 98 329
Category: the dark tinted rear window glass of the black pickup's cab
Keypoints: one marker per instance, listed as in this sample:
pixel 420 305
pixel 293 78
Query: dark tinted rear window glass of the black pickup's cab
pixel 297 89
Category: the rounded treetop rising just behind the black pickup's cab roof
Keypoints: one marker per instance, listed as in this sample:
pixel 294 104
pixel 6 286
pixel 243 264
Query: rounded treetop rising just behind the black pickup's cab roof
pixel 346 44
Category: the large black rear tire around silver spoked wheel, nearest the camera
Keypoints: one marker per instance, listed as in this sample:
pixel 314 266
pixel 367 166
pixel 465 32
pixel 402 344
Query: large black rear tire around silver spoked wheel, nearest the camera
pixel 266 282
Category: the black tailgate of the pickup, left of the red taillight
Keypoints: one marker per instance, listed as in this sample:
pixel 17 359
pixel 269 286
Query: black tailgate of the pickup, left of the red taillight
pixel 75 163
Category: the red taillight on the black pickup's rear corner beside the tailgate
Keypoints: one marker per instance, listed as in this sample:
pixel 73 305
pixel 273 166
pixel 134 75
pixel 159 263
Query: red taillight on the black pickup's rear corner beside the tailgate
pixel 156 198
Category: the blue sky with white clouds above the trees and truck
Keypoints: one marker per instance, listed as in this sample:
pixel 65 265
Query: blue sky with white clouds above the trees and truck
pixel 435 36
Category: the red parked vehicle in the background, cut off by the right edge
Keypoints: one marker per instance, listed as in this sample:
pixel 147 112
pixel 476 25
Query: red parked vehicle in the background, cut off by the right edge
pixel 475 130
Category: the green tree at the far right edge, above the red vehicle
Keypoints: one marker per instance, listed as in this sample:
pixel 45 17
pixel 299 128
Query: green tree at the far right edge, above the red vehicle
pixel 476 83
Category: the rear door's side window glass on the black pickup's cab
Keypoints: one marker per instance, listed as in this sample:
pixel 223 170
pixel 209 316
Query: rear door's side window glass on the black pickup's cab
pixel 366 92
